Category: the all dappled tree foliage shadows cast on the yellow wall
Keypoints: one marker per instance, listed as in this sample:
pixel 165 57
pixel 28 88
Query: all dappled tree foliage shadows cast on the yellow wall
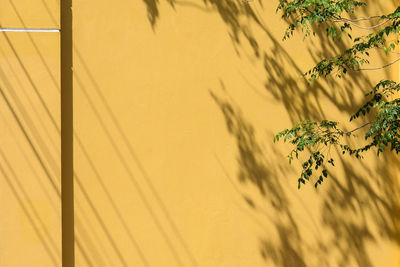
pixel 355 210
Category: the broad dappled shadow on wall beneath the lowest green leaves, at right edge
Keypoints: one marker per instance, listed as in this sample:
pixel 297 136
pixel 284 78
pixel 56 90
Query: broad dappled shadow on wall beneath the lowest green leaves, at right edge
pixel 361 210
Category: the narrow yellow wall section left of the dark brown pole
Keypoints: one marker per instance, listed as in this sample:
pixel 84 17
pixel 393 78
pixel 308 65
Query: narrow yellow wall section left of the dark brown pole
pixel 30 213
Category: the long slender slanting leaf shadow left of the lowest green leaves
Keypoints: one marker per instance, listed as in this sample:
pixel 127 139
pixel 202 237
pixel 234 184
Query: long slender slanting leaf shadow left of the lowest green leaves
pixel 254 167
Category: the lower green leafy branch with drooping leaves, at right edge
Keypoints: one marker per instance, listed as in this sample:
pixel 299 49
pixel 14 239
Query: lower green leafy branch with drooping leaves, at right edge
pixel 384 131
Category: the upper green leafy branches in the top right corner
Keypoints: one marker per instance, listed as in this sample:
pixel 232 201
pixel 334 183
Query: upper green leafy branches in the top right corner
pixel 305 13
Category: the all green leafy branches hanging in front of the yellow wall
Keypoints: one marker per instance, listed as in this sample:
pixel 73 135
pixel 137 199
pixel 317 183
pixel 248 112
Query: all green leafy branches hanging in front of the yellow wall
pixel 382 103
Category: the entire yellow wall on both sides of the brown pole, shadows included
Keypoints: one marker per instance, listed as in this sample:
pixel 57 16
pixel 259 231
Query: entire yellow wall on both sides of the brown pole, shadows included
pixel 175 106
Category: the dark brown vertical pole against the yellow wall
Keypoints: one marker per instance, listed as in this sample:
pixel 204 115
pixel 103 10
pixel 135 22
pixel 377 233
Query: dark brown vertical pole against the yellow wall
pixel 67 170
